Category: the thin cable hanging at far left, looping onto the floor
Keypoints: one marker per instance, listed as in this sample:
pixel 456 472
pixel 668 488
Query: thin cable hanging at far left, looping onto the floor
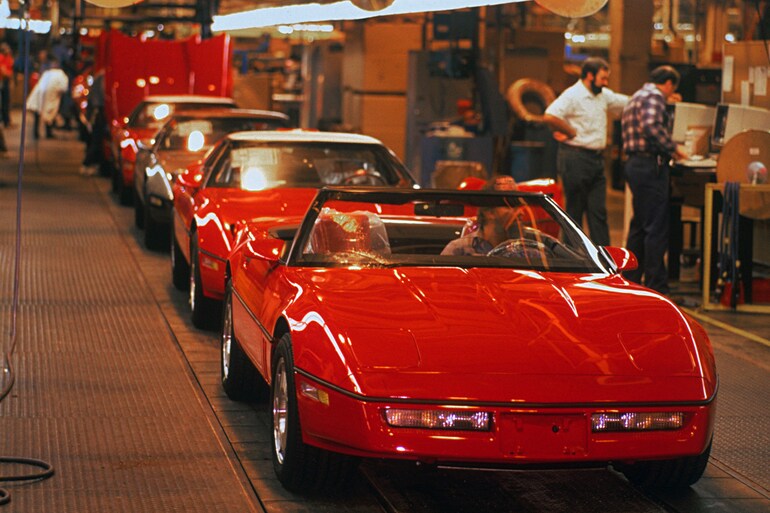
pixel 8 373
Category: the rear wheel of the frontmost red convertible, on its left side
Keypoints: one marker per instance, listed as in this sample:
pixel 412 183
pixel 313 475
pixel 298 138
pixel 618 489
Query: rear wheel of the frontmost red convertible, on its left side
pixel 240 378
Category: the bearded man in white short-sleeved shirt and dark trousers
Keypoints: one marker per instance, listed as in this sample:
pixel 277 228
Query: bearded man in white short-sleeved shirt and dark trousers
pixel 579 119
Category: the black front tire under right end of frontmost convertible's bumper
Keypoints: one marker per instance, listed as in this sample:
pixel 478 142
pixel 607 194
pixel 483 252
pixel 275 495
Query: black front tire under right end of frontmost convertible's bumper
pixel 667 474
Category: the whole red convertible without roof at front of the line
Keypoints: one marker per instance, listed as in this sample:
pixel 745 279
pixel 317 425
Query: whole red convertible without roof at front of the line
pixel 385 329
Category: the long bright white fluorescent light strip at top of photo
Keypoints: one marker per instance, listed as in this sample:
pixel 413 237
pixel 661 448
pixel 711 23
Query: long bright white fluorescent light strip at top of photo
pixel 303 13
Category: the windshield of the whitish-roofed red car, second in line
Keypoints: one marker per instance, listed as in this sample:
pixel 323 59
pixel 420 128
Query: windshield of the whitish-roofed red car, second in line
pixel 257 165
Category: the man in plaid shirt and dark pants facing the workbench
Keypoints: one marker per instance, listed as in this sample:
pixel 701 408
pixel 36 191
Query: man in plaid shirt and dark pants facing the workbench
pixel 647 142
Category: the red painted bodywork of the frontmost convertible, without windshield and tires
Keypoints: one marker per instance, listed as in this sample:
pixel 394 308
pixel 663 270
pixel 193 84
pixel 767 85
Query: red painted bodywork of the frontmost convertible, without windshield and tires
pixel 540 351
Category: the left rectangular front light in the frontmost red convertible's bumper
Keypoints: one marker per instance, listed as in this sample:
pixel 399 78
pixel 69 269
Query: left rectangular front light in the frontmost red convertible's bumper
pixel 438 419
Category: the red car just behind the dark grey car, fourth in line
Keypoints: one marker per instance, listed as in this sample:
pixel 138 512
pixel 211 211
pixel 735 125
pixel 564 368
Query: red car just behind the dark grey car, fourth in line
pixel 142 123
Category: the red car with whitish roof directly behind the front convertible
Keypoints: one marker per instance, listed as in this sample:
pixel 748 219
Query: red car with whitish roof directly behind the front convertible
pixel 255 174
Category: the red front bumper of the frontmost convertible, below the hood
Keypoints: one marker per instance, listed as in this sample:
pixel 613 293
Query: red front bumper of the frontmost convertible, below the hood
pixel 518 436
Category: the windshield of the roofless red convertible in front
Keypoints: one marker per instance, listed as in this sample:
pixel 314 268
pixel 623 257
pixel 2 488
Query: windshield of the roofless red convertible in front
pixel 513 230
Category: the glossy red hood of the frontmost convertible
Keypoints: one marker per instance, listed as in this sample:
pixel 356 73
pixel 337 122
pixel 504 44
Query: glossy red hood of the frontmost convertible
pixel 505 335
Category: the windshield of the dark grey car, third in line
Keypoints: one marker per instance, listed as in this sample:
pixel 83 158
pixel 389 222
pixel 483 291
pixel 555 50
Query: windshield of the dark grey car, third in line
pixel 195 135
